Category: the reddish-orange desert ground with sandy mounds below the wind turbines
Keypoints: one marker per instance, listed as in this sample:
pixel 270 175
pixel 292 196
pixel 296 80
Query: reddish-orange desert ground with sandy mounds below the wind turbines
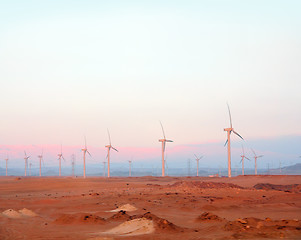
pixel 243 207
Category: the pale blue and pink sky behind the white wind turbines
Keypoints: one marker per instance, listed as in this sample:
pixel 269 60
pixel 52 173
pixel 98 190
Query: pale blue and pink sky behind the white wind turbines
pixel 70 69
